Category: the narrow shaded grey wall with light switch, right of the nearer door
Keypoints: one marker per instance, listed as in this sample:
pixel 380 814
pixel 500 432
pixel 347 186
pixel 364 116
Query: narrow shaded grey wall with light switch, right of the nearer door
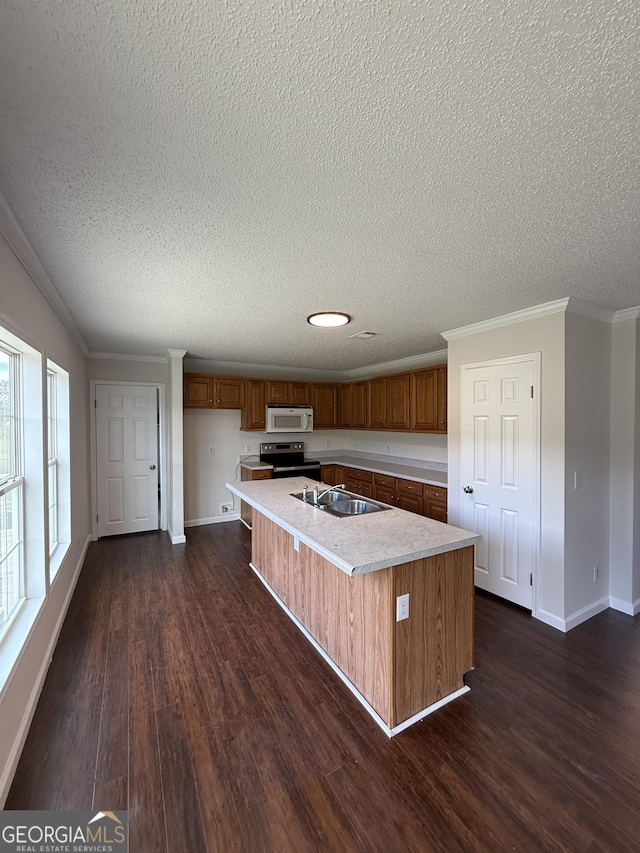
pixel 587 451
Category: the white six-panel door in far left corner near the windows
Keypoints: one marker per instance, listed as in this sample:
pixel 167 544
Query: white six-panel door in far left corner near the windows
pixel 127 458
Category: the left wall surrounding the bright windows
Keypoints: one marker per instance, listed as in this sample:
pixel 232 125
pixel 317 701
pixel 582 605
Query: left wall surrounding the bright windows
pixel 23 305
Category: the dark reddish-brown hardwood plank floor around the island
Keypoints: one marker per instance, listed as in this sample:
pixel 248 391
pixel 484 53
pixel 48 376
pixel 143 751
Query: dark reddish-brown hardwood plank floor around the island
pixel 179 690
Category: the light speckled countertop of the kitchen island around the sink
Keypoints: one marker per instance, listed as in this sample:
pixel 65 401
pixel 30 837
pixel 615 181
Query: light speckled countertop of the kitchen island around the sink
pixel 355 544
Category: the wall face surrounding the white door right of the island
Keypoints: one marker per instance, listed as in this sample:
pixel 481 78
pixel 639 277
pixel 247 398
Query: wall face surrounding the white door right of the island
pixel 545 334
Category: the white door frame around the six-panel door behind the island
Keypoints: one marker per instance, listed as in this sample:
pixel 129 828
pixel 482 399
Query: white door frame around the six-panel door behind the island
pixel 536 361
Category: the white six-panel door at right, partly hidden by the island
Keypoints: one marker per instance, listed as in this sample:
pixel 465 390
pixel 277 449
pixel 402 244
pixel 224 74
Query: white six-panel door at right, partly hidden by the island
pixel 499 469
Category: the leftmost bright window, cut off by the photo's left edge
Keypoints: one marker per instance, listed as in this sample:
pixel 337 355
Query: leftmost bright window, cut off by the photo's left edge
pixel 12 580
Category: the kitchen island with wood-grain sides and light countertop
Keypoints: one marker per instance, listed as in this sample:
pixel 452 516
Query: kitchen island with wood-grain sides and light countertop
pixel 339 580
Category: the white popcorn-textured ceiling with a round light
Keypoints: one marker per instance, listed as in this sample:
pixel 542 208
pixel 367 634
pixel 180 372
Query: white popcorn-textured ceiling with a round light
pixel 202 174
